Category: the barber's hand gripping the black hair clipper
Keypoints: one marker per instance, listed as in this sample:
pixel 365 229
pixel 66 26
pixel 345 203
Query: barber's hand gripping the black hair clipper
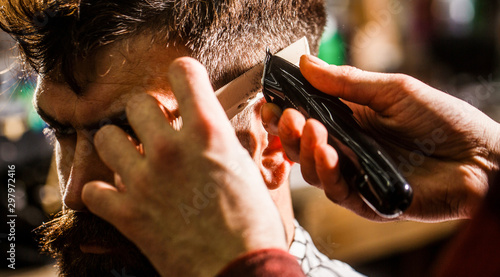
pixel 446 149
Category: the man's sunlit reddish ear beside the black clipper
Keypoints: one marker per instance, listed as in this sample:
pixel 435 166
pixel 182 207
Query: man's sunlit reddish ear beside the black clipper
pixel 268 154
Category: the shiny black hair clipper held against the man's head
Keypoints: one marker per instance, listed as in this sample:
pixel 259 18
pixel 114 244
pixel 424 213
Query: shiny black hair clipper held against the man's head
pixel 363 162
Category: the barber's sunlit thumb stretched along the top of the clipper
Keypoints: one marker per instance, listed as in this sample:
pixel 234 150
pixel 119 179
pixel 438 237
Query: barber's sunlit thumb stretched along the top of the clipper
pixel 376 90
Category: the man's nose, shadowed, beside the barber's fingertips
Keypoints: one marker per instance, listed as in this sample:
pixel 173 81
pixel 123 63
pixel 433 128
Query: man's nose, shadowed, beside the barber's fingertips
pixel 86 166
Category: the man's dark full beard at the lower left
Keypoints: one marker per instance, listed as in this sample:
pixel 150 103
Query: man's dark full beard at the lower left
pixel 63 236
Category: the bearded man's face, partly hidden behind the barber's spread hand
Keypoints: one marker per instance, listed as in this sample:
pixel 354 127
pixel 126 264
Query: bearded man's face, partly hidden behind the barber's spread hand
pixel 84 244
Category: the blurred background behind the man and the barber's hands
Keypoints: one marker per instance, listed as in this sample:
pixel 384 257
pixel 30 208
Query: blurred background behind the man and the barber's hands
pixel 452 45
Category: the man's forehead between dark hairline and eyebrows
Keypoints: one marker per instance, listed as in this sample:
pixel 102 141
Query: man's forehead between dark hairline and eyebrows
pixel 120 71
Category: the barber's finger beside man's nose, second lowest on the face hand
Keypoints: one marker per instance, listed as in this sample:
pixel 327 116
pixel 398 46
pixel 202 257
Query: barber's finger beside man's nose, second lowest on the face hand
pixel 116 150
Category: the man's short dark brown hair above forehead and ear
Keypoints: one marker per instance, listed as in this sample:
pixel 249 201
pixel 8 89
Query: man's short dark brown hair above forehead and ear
pixel 227 36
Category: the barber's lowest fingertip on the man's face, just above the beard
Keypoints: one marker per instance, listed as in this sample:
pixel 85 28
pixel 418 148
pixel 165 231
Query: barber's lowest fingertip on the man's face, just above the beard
pixel 104 200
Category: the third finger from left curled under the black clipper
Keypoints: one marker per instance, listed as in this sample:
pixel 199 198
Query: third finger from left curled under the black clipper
pixel 313 136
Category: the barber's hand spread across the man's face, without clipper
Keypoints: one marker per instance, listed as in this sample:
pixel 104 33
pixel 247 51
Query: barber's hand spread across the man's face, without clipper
pixel 192 200
